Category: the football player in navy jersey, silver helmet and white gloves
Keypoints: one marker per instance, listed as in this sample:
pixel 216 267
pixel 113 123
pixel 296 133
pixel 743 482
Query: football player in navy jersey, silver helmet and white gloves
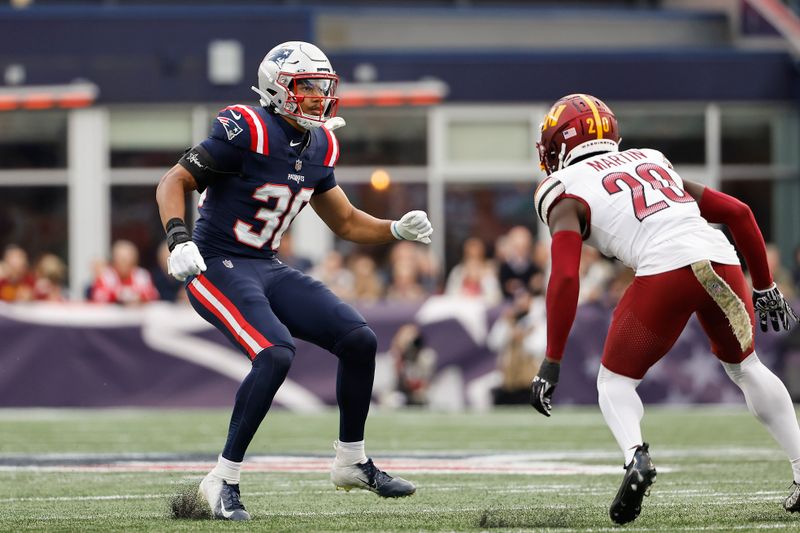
pixel 258 168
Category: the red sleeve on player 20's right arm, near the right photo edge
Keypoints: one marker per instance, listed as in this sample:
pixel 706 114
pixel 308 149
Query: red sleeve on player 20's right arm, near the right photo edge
pixel 718 207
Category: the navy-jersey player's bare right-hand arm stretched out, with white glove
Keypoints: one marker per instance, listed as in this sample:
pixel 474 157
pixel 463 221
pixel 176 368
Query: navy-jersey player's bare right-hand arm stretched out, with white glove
pixel 353 224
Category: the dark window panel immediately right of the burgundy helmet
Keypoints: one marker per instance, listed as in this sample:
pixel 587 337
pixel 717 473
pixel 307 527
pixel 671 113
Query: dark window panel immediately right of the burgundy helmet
pixel 680 135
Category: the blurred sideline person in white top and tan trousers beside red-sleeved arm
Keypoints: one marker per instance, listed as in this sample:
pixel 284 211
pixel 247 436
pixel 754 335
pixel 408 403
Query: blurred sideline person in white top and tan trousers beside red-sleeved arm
pixel 519 337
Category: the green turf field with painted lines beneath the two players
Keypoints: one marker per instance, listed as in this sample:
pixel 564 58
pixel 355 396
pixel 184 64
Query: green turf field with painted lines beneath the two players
pixel 718 471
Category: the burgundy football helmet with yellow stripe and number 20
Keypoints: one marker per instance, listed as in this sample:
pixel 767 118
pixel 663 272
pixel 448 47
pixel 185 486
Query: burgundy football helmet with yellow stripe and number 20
pixel 576 125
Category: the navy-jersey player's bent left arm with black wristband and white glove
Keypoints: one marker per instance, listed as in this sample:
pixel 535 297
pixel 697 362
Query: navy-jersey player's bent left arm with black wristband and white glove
pixel 184 259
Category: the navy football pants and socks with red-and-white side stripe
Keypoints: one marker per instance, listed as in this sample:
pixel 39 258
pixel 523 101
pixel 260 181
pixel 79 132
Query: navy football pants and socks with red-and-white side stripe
pixel 260 305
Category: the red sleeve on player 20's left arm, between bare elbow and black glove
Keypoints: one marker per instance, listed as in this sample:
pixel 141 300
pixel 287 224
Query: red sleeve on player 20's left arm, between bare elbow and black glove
pixel 562 290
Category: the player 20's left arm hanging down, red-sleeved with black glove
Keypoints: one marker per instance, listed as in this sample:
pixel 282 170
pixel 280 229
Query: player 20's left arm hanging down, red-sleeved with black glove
pixel 561 299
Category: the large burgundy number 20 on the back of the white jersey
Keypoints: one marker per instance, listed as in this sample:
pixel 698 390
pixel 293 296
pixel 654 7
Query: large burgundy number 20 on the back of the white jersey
pixel 647 175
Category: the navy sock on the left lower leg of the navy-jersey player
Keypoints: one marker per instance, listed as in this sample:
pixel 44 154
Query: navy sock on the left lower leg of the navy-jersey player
pixel 254 398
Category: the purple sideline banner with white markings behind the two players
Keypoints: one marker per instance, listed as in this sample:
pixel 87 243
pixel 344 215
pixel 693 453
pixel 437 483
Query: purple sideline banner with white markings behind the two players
pixel 164 355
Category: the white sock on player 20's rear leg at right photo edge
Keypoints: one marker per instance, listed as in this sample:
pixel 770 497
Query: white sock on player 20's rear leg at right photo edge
pixel 769 401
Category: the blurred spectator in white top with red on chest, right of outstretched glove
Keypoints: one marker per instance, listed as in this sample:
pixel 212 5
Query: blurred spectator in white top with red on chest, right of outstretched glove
pixel 474 276
